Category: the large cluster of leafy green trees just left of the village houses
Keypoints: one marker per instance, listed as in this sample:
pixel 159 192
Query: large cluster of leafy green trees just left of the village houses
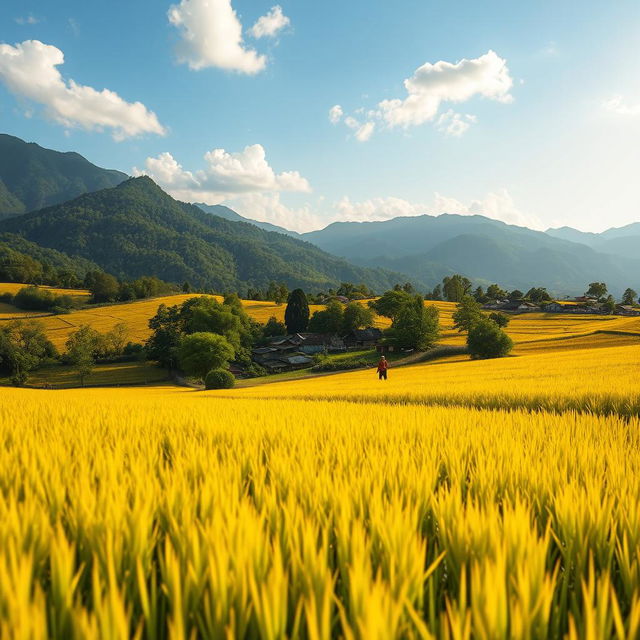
pixel 202 335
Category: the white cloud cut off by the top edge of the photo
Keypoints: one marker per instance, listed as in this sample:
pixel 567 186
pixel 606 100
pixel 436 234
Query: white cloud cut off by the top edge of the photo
pixel 211 36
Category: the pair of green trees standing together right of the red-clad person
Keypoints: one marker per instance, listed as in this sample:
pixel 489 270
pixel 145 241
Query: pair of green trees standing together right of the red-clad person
pixel 485 335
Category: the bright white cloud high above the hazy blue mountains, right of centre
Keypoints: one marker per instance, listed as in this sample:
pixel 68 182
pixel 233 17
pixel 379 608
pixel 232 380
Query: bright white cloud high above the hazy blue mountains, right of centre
pixel 434 84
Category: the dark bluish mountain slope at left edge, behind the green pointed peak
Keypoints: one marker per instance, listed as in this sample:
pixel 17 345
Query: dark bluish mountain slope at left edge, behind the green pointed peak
pixel 32 177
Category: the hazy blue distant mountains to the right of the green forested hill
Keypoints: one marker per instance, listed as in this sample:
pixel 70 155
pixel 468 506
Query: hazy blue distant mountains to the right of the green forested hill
pixel 486 250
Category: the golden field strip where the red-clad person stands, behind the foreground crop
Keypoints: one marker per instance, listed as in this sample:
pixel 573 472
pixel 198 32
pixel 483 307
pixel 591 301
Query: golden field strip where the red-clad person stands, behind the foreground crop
pixel 589 378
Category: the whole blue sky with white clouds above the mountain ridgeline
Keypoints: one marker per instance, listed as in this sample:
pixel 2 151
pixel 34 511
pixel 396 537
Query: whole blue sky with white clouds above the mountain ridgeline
pixel 526 112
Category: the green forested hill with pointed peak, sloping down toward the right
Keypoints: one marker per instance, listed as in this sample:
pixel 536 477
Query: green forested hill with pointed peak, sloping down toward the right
pixel 137 229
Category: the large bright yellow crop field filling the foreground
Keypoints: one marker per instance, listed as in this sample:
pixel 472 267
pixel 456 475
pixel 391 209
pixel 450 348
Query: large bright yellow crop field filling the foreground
pixel 167 513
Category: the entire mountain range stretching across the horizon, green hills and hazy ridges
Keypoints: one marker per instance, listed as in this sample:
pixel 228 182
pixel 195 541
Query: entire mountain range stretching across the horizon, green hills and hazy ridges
pixel 62 204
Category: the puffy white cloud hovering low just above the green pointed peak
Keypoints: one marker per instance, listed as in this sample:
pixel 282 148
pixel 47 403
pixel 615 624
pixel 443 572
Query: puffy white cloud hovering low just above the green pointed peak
pixel 224 175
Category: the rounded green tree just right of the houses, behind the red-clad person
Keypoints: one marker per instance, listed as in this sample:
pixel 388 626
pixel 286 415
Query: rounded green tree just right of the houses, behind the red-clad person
pixel 415 326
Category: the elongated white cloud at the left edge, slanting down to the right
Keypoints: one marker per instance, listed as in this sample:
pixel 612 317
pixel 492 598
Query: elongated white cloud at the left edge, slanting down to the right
pixel 29 70
